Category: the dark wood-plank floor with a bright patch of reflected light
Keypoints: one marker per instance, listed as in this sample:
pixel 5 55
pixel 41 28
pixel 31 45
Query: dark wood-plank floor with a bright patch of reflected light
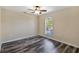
pixel 37 44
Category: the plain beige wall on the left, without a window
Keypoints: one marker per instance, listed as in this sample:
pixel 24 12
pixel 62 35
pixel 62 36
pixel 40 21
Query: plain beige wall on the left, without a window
pixel 17 25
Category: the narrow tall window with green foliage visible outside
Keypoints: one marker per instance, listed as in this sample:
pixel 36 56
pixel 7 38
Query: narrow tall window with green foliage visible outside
pixel 49 26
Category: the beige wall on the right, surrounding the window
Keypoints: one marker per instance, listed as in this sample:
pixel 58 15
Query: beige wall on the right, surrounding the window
pixel 66 25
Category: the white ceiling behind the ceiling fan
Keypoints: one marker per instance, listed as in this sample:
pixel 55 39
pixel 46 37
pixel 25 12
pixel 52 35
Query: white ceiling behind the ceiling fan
pixel 25 8
